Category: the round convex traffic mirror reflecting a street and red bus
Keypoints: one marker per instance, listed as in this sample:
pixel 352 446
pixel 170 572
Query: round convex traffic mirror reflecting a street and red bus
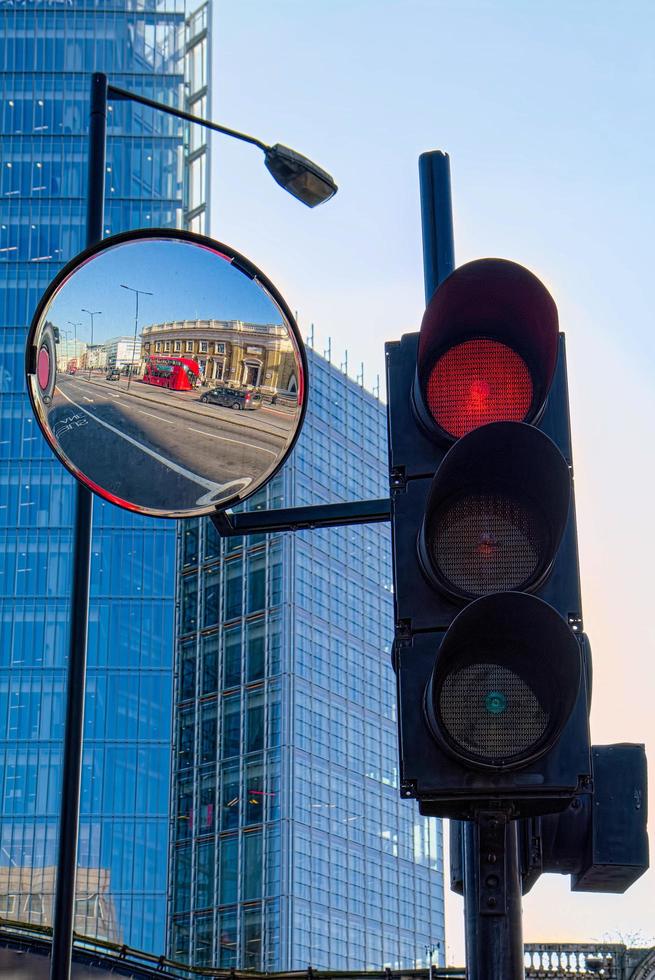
pixel 167 373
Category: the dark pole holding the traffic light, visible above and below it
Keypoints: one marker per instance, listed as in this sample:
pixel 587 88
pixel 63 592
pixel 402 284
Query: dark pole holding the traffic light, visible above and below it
pixel 491 878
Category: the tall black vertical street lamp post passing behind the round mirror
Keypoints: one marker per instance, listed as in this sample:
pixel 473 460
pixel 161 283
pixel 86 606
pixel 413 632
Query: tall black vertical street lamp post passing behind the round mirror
pixel 64 908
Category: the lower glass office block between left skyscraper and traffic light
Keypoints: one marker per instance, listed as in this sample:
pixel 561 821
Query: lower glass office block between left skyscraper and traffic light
pixel 290 845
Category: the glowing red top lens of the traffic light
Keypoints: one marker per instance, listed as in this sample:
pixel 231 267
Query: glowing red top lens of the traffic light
pixel 476 382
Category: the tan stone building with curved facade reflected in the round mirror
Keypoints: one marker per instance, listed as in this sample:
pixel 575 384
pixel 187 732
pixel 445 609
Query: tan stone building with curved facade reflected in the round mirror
pixel 229 352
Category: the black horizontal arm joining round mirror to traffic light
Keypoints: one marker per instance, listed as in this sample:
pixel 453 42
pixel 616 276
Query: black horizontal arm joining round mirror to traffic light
pixel 229 525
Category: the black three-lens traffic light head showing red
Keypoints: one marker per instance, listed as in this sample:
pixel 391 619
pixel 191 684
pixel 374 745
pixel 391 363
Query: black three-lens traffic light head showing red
pixel 492 665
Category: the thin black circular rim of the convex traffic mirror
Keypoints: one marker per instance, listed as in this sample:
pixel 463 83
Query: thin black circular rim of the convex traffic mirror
pixel 243 265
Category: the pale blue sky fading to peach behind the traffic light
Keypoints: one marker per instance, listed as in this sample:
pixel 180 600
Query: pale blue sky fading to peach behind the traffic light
pixel 546 112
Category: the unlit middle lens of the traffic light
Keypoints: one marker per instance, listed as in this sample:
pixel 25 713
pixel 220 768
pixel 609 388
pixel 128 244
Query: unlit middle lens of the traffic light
pixel 488 542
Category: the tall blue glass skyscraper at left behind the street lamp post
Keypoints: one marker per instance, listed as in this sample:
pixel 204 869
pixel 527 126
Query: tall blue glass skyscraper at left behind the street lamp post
pixel 47 52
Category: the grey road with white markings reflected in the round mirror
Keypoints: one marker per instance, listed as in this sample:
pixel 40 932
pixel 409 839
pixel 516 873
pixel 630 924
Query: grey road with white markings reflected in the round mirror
pixel 212 447
